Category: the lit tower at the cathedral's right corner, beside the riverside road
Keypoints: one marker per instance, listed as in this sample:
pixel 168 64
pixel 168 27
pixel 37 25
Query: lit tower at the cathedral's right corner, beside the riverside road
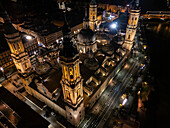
pixel 132 26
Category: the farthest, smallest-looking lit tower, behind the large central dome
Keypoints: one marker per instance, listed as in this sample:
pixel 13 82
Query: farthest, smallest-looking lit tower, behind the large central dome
pixel 93 15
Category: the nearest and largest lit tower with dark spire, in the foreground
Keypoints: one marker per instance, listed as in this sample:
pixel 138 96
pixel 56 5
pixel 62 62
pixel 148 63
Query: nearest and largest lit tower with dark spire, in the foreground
pixel 72 82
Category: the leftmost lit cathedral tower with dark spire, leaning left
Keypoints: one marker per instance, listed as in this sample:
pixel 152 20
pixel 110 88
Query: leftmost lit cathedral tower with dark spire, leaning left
pixel 18 54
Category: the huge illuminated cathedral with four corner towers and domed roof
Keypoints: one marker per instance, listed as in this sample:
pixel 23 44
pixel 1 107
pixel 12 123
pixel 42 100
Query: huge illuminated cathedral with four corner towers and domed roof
pixel 85 70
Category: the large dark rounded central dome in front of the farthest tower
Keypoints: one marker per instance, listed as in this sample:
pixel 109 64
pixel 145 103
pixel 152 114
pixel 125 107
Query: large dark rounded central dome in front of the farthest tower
pixel 86 36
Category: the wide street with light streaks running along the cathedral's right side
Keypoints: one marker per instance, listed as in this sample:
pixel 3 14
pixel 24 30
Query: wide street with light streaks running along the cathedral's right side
pixel 110 97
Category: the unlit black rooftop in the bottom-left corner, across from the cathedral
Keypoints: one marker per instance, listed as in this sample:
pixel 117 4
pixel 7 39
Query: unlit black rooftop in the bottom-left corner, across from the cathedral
pixel 28 117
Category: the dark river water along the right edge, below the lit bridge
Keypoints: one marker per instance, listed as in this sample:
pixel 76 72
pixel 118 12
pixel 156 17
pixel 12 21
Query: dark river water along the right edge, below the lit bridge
pixel 158 38
